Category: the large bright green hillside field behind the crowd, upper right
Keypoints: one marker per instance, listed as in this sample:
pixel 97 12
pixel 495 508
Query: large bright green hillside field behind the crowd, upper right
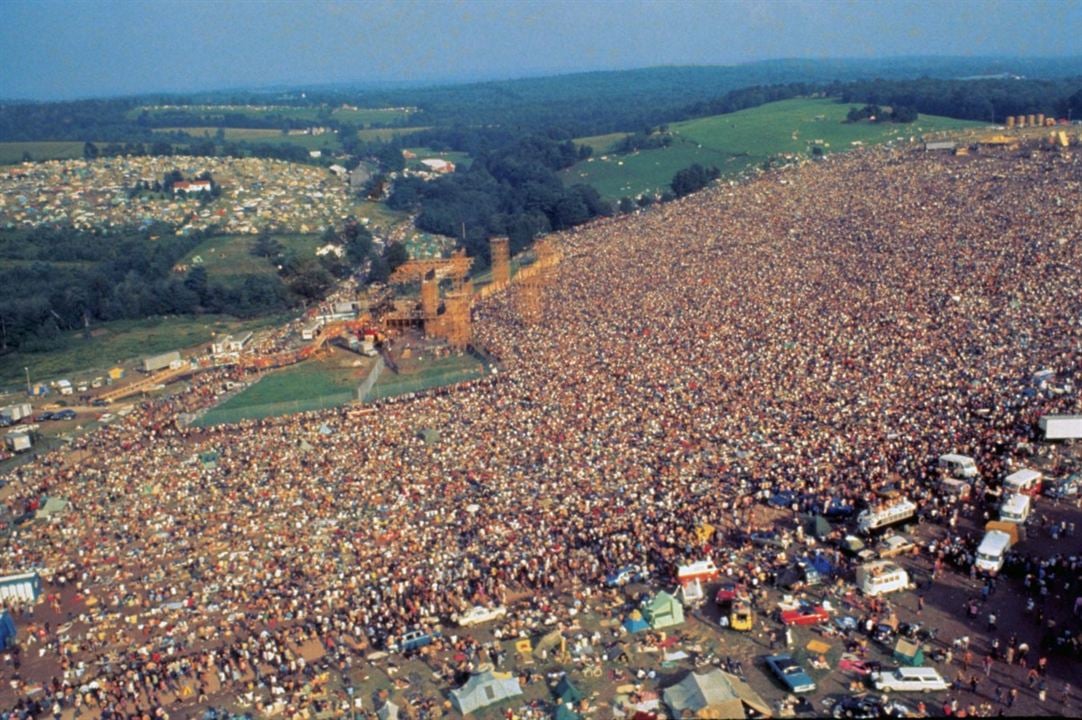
pixel 740 141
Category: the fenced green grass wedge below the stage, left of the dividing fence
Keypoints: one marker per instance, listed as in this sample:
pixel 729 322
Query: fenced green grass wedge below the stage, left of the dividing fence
pixel 310 386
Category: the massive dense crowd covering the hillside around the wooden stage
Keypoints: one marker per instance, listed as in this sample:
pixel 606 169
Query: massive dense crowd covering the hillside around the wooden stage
pixel 828 332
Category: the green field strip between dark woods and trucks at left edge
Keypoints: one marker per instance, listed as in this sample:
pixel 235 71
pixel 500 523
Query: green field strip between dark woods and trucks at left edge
pixel 116 343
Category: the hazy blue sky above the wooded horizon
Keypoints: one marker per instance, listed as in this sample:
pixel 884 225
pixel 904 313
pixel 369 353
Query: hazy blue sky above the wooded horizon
pixel 52 49
